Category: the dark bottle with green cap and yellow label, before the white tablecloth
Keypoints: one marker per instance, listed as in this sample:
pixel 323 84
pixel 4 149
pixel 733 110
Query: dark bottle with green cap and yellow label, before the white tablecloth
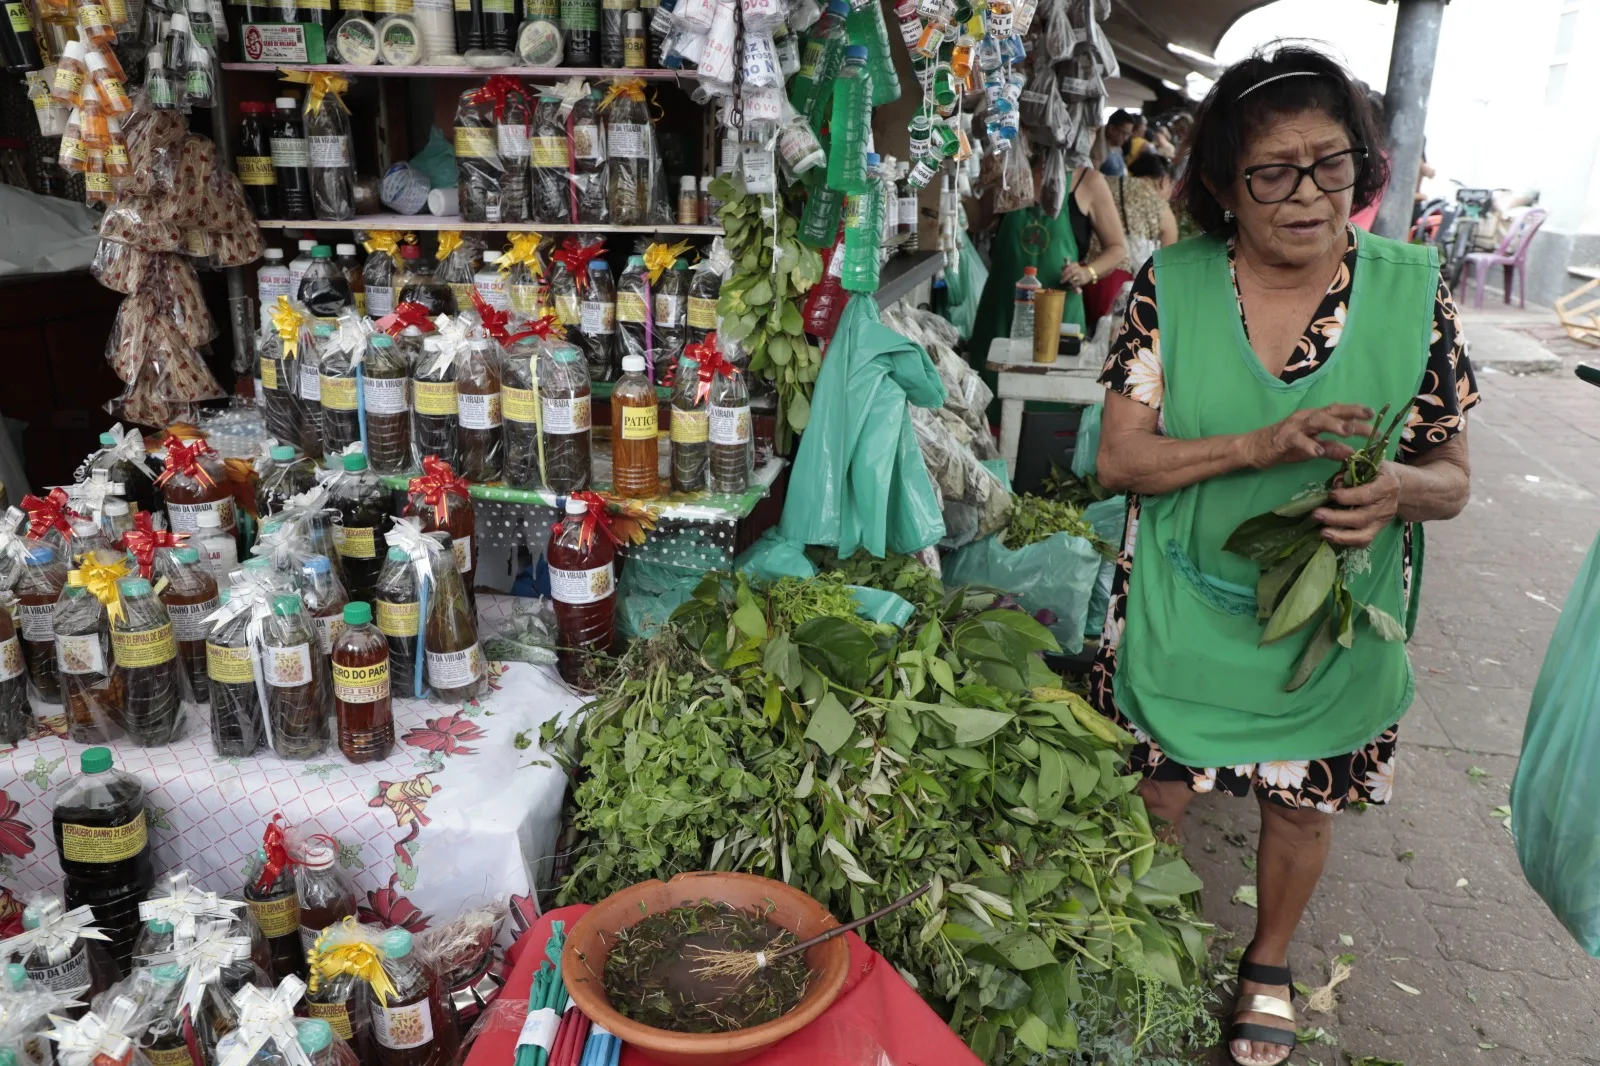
pixel 105 848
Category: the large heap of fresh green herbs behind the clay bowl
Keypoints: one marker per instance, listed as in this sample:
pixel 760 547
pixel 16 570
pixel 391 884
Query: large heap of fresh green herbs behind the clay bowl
pixel 857 763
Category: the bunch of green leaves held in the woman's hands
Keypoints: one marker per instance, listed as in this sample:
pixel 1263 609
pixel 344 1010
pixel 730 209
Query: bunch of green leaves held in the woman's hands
pixel 1303 577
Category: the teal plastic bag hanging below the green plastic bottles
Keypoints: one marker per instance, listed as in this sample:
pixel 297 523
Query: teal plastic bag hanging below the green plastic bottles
pixel 860 479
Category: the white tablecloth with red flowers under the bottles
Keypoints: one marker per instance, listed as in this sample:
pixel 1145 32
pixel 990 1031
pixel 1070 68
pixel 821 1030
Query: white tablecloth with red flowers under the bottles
pixel 462 812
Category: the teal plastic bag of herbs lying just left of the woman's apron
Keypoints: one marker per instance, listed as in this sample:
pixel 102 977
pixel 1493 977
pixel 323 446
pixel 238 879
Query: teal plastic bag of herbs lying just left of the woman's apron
pixel 1057 575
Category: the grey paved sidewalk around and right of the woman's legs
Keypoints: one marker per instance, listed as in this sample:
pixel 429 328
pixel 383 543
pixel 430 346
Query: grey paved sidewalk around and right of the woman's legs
pixel 1428 892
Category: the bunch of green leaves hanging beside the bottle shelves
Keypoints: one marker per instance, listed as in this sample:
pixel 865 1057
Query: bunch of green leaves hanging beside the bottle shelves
pixel 761 302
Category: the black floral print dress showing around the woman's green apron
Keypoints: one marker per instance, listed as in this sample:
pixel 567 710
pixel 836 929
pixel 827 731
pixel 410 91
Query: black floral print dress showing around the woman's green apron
pixel 1134 367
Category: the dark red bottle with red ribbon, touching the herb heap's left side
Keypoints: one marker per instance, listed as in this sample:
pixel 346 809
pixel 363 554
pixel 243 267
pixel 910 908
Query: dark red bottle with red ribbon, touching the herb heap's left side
pixel 583 587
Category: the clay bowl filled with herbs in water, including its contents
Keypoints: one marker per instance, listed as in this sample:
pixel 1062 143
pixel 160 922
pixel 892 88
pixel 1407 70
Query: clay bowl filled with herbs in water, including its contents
pixel 671 968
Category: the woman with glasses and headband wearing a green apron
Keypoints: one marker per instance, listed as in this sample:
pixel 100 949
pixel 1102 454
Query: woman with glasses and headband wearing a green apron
pixel 1250 363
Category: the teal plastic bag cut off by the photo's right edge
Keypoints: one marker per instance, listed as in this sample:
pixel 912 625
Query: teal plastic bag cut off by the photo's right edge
pixel 1556 795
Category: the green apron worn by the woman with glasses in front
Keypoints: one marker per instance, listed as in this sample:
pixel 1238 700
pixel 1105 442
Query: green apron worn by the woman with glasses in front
pixel 1190 670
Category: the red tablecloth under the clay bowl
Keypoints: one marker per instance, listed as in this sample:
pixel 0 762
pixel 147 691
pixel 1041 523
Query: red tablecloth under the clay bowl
pixel 878 1019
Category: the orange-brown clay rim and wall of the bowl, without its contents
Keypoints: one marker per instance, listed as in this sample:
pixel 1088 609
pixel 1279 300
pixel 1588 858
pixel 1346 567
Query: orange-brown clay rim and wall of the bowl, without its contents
pixel 590 942
